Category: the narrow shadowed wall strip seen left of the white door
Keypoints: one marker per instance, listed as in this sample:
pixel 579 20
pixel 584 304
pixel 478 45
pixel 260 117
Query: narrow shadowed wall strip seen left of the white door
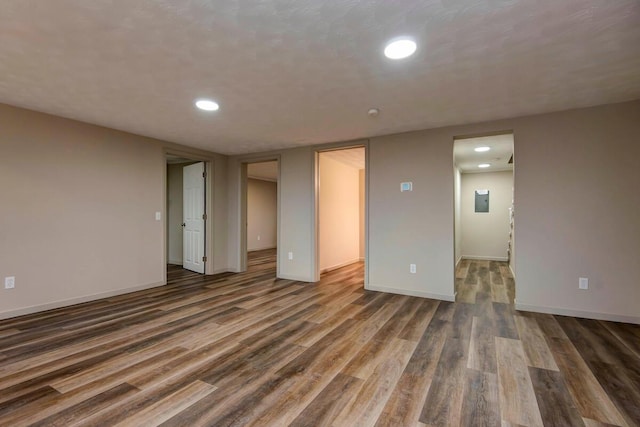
pixel 174 214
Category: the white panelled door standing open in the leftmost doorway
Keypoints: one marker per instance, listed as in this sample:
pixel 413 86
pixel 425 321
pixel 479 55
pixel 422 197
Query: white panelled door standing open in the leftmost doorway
pixel 193 217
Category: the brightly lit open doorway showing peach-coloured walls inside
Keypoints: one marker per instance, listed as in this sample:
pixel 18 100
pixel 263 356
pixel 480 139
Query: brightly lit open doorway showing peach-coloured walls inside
pixel 341 209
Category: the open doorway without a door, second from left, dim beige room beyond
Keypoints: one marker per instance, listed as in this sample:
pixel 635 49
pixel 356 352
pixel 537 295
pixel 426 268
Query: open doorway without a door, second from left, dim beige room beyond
pixel 261 233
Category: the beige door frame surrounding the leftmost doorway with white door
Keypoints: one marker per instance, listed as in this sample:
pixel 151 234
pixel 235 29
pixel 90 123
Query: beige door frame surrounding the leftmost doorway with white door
pixel 209 267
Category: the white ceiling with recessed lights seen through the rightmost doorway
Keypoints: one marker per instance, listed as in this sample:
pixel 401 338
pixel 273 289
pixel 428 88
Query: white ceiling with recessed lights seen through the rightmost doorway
pixel 467 159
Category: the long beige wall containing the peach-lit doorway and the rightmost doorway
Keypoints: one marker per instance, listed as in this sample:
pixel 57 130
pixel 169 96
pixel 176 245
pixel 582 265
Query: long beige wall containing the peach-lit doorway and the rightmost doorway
pixel 576 208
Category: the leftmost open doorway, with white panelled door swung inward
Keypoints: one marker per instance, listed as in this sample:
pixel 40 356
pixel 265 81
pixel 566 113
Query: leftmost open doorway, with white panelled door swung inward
pixel 186 214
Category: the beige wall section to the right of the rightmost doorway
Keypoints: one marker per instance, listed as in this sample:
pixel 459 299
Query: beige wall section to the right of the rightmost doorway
pixel 577 204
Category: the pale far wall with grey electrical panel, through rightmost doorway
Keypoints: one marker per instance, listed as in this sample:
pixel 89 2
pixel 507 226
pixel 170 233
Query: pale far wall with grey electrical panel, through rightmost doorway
pixel 485 235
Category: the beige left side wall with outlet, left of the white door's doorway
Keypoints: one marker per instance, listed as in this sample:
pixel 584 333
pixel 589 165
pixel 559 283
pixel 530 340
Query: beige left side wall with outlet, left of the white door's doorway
pixel 78 206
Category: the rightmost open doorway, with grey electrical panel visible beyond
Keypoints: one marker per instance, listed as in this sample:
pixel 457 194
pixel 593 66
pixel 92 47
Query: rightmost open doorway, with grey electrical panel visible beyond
pixel 484 218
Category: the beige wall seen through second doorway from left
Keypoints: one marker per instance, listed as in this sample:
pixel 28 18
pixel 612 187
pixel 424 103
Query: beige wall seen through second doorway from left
pixel 262 213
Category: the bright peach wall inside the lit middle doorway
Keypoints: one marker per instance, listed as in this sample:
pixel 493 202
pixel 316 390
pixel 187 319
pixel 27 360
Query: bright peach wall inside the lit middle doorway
pixel 339 214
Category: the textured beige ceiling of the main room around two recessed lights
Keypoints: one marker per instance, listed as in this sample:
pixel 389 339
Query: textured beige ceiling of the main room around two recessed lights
pixel 289 73
